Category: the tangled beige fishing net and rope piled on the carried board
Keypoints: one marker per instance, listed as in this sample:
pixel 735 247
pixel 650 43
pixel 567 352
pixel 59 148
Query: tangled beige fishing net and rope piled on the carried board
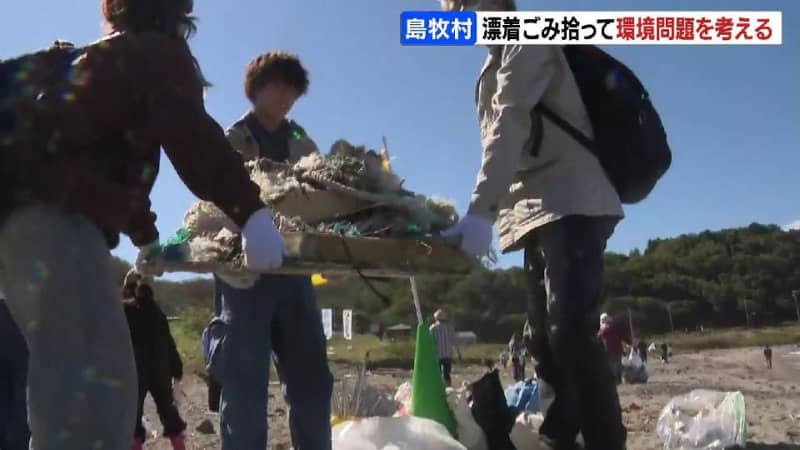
pixel 350 191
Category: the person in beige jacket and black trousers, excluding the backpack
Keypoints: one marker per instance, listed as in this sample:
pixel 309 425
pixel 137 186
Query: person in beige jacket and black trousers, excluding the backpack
pixel 548 196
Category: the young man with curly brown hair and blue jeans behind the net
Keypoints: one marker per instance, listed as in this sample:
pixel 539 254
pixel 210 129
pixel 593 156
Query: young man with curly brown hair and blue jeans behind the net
pixel 272 314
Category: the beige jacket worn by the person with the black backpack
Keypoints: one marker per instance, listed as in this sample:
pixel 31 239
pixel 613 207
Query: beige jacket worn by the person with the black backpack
pixel 522 185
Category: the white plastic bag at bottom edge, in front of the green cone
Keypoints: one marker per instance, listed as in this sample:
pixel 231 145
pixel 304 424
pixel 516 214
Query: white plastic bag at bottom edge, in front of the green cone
pixel 393 433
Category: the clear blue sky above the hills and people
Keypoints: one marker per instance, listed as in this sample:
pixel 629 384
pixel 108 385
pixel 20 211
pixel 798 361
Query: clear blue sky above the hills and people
pixel 732 113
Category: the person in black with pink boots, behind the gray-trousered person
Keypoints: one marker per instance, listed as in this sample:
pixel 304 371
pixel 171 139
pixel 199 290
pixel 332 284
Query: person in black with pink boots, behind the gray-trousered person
pixel 157 360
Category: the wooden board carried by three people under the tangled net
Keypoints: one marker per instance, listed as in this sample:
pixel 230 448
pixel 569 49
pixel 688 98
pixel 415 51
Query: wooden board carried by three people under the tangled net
pixel 309 253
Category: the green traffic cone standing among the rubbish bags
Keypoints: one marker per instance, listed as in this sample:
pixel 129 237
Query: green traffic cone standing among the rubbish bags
pixel 428 397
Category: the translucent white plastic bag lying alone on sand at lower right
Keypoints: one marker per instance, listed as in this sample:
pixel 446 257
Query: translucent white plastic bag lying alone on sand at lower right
pixel 703 420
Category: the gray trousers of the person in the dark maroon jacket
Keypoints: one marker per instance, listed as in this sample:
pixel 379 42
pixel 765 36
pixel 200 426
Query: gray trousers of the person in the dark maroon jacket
pixel 55 269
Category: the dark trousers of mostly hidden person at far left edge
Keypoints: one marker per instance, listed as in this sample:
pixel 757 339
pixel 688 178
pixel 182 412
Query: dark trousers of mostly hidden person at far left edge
pixel 14 431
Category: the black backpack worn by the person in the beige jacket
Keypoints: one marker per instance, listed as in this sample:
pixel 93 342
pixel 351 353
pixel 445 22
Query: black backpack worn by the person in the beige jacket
pixel 629 138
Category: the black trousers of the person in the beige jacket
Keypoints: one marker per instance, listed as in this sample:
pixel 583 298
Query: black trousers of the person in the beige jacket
pixel 564 264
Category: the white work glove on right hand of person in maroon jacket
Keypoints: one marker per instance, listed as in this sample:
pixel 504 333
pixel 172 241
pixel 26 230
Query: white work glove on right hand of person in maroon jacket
pixel 262 244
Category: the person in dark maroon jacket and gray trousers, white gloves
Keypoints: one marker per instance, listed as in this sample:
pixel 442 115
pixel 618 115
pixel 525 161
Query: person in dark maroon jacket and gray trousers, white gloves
pixel 81 132
